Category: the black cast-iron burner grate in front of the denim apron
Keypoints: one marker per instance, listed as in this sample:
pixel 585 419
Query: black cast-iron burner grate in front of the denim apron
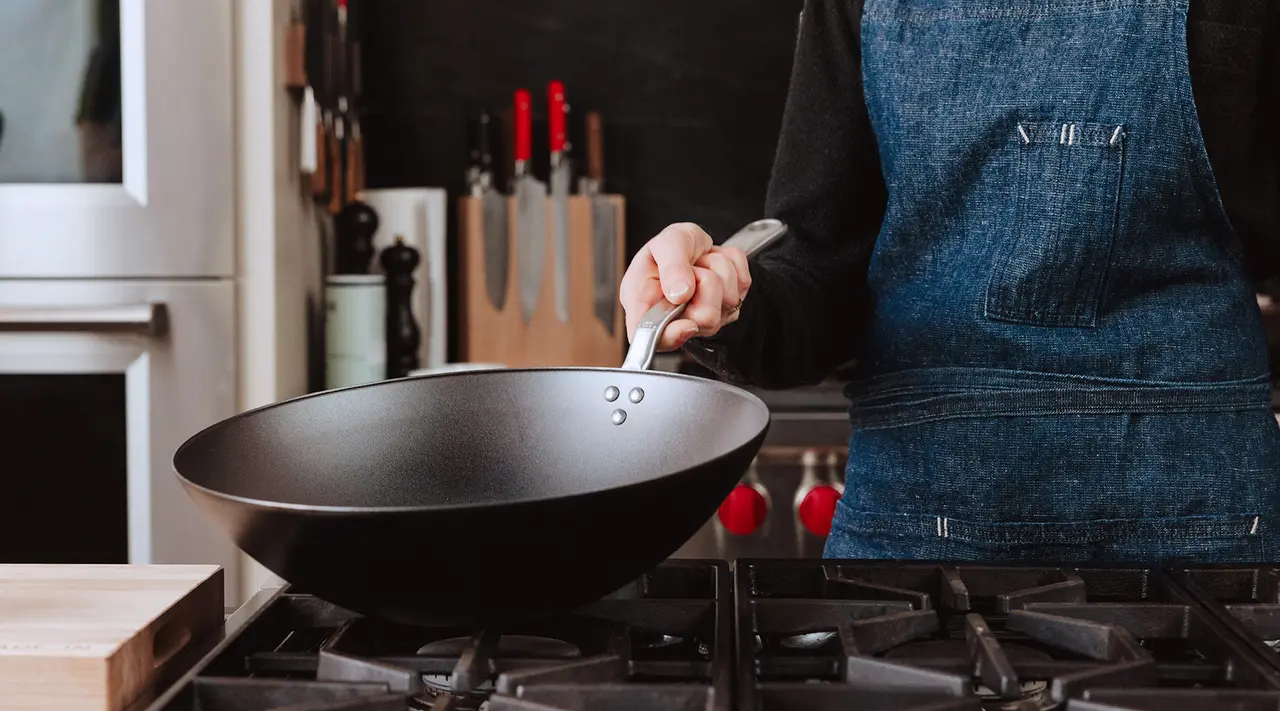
pixel 941 637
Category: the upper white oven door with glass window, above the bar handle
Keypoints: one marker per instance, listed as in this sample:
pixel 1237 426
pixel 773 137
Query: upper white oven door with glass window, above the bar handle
pixel 116 139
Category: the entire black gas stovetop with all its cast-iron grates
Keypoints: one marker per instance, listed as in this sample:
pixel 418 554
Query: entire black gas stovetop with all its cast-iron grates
pixel 787 635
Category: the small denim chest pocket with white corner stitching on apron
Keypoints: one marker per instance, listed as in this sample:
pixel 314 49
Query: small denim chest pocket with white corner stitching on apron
pixel 1053 266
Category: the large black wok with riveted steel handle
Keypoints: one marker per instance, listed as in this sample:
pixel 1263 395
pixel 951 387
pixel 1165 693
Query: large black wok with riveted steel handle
pixel 481 496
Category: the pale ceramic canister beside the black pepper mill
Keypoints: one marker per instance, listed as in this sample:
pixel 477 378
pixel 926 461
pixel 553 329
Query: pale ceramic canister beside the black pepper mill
pixel 355 330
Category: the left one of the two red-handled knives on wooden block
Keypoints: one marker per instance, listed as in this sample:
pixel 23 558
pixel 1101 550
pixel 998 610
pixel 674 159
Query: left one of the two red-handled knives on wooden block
pixel 531 211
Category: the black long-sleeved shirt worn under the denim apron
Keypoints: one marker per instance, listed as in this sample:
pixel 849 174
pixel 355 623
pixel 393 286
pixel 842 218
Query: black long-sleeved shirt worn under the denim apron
pixel 808 303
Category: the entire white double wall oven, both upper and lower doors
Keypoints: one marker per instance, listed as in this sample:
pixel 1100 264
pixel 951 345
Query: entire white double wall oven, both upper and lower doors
pixel 118 274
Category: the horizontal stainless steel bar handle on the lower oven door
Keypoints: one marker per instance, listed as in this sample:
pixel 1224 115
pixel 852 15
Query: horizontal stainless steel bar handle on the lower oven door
pixel 145 320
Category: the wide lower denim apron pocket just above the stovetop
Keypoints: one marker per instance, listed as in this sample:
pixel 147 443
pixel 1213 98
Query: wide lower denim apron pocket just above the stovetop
pixel 1212 539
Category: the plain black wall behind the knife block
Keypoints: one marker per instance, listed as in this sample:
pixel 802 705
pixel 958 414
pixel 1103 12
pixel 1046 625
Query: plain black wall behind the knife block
pixel 692 93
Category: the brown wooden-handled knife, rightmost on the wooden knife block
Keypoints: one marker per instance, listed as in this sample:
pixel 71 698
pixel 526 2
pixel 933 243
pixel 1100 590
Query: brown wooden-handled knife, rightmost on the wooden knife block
pixel 605 225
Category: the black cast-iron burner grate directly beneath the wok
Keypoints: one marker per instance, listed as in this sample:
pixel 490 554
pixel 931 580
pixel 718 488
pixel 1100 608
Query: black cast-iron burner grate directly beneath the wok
pixel 665 642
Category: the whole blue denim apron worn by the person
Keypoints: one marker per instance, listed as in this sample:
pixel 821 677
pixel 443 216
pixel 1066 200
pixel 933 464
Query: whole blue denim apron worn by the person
pixel 1066 358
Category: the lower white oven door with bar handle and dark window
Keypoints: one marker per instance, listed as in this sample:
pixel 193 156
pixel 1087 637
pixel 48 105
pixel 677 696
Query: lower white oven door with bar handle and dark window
pixel 100 382
